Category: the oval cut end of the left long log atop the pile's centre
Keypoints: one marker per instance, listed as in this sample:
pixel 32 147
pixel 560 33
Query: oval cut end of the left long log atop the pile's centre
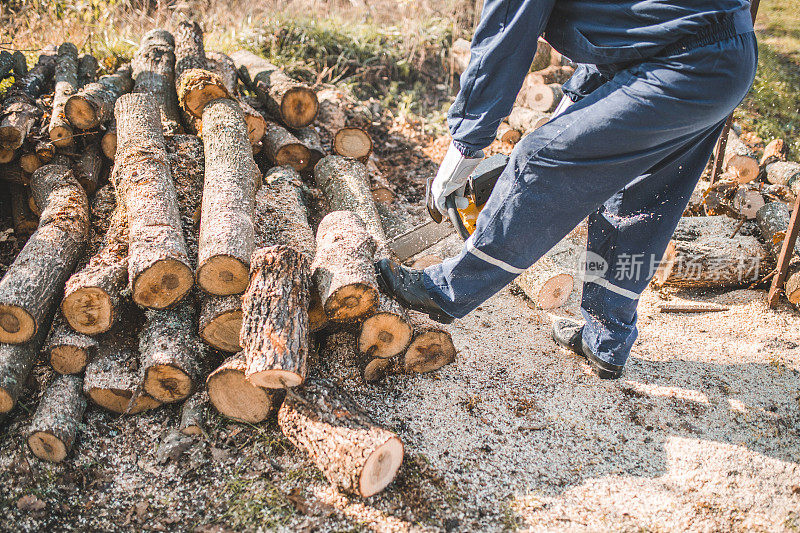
pixel 162 285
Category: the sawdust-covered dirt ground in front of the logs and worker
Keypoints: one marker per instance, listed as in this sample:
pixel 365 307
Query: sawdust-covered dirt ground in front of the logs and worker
pixel 702 433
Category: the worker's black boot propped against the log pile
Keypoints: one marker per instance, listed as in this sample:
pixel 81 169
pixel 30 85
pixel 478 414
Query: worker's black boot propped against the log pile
pixel 407 287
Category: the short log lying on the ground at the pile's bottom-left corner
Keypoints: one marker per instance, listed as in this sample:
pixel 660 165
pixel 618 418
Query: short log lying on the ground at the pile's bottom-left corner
pixel 55 423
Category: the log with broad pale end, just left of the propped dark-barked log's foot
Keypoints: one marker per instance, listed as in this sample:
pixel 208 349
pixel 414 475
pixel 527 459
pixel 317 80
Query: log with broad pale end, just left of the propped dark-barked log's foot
pixel 233 396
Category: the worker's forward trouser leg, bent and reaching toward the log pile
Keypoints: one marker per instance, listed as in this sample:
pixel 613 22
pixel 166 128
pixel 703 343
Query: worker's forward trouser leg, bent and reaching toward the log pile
pixel 643 117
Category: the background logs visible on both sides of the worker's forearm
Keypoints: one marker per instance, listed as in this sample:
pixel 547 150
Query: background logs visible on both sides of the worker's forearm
pixel 540 93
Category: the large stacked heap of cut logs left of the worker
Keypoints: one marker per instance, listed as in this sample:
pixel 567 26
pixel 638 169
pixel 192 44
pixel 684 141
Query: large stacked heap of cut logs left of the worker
pixel 162 266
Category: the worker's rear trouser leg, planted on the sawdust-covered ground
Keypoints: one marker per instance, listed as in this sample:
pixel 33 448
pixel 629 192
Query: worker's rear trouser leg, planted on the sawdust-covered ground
pixel 627 239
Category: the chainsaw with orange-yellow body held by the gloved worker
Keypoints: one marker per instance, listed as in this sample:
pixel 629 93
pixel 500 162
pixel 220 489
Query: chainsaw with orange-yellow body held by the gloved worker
pixel 478 189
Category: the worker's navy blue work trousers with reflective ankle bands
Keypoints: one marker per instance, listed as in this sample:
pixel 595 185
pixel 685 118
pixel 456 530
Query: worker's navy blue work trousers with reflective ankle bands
pixel 627 156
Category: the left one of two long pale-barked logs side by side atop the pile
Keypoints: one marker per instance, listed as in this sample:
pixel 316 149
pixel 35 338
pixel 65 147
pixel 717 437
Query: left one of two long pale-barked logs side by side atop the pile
pixel 159 271
